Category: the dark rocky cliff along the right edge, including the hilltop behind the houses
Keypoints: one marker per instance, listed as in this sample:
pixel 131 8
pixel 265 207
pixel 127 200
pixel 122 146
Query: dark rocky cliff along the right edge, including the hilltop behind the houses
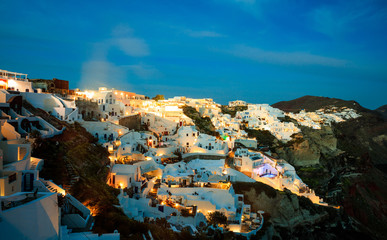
pixel 346 163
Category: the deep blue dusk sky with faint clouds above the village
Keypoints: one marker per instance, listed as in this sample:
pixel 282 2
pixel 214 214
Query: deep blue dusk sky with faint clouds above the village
pixel 259 51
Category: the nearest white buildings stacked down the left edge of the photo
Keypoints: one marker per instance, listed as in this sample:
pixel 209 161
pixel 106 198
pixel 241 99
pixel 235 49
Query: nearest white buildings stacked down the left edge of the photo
pixel 32 207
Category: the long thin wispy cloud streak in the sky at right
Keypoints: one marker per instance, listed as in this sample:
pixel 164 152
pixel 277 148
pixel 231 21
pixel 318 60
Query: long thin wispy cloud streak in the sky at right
pixel 284 58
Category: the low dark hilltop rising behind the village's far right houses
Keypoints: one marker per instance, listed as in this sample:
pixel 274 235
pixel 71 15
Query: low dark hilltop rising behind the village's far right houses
pixel 312 103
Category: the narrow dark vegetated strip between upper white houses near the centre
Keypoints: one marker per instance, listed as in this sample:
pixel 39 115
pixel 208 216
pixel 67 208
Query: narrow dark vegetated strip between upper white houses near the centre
pixel 203 124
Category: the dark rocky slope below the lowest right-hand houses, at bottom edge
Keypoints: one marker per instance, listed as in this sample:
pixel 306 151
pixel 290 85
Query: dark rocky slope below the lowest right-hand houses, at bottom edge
pixel 293 217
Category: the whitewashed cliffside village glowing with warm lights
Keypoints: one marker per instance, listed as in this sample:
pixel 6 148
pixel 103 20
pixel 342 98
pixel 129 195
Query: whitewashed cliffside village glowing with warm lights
pixel 162 164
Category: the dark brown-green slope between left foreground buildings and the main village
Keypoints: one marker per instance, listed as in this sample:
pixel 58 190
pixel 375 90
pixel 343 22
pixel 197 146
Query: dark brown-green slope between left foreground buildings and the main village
pixel 76 154
